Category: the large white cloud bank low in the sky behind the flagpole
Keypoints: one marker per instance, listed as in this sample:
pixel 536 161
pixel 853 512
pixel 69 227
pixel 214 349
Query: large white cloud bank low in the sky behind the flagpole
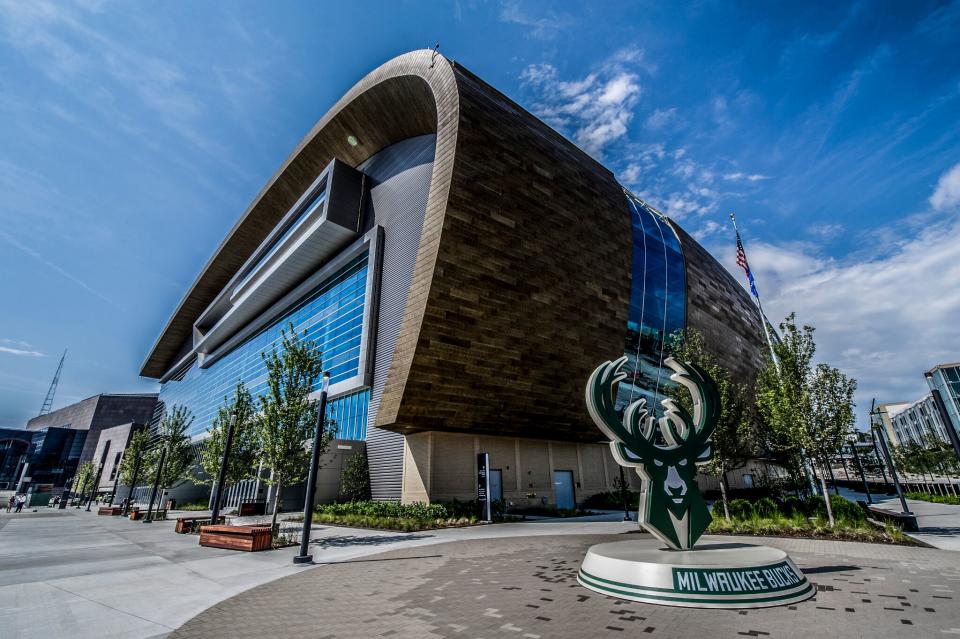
pixel 883 321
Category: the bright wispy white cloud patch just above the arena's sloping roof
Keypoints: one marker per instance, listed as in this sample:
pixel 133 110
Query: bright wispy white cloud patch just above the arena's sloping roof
pixel 595 110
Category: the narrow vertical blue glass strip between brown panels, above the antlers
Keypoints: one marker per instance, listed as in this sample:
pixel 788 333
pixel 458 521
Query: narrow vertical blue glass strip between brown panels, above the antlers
pixel 657 304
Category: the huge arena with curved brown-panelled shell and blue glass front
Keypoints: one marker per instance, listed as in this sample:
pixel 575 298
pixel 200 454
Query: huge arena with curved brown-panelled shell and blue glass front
pixel 464 268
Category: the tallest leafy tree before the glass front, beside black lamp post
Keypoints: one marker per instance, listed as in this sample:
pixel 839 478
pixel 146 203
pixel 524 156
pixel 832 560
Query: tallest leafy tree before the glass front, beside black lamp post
pixel 288 416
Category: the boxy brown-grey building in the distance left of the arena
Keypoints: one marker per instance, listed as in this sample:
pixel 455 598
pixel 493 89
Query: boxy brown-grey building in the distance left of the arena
pixel 96 413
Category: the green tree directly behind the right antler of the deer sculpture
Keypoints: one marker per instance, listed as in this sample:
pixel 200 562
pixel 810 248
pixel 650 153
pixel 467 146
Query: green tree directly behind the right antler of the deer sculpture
pixel 736 437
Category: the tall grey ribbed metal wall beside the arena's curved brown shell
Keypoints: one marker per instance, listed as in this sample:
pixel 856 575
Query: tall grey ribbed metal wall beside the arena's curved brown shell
pixel 401 175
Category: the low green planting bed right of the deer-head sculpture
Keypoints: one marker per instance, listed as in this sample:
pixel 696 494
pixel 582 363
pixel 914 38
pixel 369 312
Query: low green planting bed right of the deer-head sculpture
pixel 794 517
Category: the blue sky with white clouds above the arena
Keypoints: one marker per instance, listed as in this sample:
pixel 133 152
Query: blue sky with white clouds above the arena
pixel 132 137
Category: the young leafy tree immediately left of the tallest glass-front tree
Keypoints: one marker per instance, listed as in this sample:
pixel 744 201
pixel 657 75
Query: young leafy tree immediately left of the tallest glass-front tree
pixel 240 409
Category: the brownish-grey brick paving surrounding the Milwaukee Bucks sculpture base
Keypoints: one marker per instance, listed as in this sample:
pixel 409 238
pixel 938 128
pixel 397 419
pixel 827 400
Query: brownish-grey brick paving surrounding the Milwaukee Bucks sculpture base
pixel 526 588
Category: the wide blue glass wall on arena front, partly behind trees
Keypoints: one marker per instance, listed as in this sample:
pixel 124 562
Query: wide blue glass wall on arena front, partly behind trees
pixel 332 316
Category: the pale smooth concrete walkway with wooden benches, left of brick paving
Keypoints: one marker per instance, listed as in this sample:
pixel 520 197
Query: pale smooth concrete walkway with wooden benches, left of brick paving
pixel 73 574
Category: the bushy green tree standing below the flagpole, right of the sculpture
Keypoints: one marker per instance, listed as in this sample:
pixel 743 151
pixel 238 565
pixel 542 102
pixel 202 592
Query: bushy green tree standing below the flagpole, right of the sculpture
pixel 809 409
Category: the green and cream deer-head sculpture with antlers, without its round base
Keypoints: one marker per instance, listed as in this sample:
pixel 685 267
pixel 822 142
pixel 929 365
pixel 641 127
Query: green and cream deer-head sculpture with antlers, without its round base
pixel 665 452
